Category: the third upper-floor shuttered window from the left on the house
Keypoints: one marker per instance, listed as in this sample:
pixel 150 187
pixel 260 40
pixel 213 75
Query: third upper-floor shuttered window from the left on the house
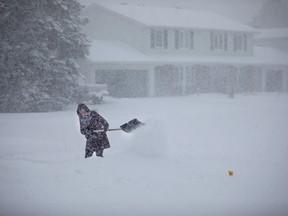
pixel 218 41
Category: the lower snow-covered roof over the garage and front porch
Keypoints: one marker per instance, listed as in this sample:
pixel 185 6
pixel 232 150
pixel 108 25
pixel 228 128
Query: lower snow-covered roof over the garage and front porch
pixel 115 51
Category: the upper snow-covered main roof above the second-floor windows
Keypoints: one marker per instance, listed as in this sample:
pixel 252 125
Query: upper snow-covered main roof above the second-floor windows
pixel 175 17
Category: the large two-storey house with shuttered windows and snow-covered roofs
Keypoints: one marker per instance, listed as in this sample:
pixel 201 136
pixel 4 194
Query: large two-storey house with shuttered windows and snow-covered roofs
pixel 141 51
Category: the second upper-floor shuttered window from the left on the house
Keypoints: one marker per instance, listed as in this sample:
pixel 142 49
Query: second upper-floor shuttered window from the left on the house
pixel 184 39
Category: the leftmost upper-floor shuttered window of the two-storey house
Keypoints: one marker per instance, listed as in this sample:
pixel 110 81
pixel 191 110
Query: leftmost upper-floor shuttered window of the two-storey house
pixel 159 38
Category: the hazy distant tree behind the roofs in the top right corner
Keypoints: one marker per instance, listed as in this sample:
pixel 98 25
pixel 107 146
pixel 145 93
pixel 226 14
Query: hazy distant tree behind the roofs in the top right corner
pixel 274 14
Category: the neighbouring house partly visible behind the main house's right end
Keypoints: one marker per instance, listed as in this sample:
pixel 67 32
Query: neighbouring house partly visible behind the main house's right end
pixel 274 37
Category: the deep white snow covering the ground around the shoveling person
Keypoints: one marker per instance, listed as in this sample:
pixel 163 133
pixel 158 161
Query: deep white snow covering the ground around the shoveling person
pixel 177 164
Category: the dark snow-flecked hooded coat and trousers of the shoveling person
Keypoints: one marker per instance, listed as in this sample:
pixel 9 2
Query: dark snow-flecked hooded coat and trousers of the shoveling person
pixel 96 141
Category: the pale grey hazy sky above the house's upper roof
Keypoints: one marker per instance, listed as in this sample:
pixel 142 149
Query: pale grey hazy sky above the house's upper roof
pixel 241 10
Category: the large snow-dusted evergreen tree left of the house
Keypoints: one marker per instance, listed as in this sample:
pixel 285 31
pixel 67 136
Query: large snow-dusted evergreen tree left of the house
pixel 39 44
